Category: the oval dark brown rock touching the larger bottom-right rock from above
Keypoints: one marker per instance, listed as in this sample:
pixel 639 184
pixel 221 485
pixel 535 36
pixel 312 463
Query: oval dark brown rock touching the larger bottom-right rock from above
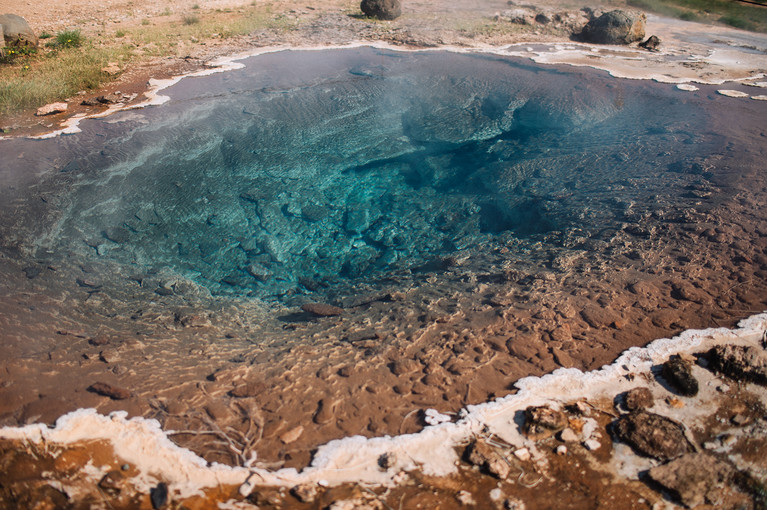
pixel 652 435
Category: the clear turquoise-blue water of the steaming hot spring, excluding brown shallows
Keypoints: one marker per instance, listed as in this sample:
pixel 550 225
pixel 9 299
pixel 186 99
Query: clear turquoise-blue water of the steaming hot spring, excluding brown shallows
pixel 307 169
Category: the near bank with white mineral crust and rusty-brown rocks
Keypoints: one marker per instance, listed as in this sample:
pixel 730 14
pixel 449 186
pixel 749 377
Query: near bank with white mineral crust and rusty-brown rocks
pixel 631 435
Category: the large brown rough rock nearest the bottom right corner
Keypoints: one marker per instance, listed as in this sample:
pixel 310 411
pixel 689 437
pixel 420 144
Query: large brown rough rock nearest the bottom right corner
pixel 694 478
